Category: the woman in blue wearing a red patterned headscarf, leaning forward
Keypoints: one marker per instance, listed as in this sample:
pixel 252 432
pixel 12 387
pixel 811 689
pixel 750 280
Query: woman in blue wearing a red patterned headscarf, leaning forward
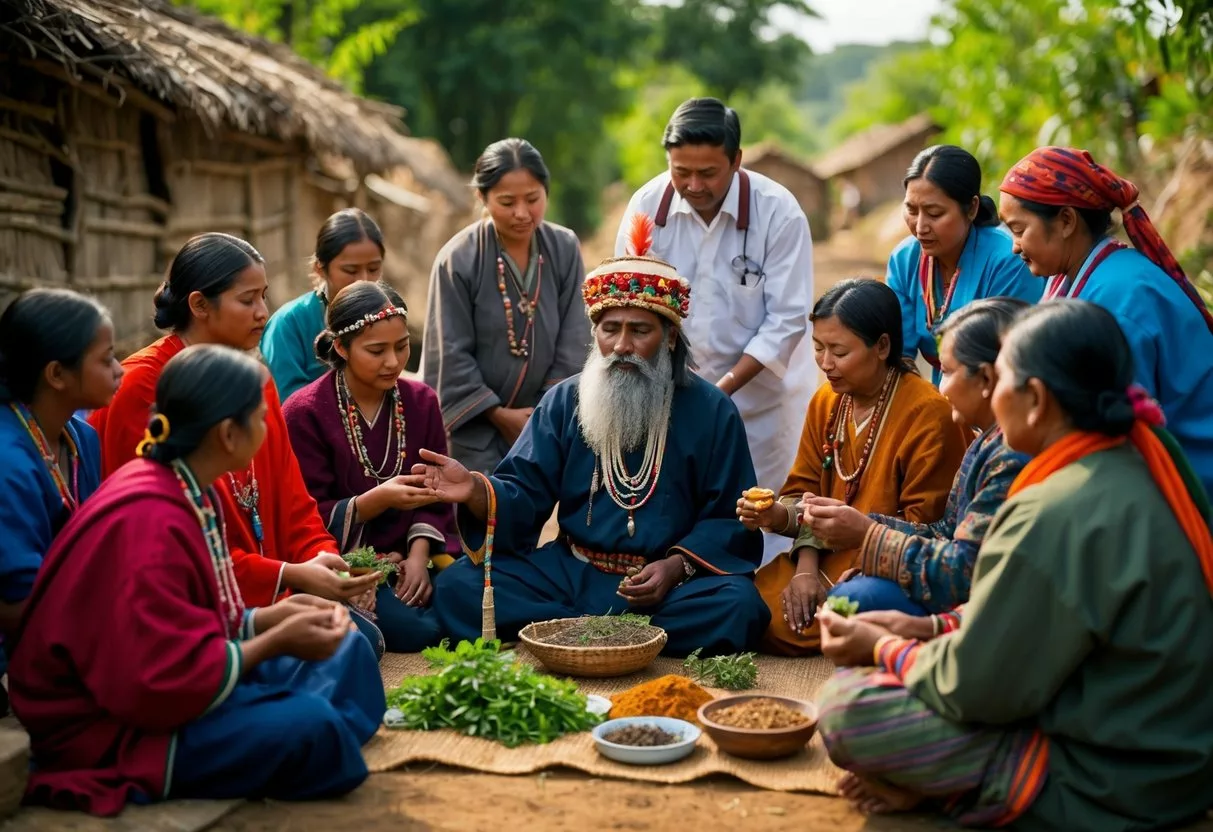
pixel 1058 204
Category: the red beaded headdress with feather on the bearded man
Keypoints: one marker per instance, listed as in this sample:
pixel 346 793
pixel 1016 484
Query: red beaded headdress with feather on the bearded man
pixel 637 281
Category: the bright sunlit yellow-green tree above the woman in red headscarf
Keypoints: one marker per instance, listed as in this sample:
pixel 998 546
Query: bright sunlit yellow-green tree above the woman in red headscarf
pixel 1009 76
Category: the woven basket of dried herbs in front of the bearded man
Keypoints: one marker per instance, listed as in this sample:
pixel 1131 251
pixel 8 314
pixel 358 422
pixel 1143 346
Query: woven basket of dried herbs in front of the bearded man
pixel 595 646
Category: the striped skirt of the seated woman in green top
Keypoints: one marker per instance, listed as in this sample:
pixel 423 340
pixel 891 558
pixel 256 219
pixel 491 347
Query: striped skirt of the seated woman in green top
pixel 876 730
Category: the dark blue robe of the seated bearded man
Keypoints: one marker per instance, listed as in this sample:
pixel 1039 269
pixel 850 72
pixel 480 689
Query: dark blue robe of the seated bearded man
pixel 705 470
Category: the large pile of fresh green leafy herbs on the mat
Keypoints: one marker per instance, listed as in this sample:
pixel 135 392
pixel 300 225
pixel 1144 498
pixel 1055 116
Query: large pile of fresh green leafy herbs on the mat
pixel 481 692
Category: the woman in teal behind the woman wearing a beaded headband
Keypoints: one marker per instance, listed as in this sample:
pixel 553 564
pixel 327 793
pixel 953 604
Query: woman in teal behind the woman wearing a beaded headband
pixel 350 248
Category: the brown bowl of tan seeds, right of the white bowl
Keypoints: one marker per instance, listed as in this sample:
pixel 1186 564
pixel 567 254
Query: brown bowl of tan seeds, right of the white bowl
pixel 760 727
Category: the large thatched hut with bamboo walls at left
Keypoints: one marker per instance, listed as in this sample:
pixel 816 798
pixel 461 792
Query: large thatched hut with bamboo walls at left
pixel 129 126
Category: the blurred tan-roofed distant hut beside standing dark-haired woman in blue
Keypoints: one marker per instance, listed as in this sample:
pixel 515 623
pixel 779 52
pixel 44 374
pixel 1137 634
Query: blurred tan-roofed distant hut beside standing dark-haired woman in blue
pixel 875 162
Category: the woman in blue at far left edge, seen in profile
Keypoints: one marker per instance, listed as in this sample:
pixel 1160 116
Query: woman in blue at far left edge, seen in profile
pixel 56 358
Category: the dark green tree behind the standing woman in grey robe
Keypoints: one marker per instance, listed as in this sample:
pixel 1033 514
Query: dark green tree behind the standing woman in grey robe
pixel 472 72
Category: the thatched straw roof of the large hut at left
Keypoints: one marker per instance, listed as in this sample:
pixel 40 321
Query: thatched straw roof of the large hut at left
pixel 189 61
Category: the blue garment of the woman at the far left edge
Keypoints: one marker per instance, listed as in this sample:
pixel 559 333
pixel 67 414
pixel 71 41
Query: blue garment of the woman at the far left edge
pixel 31 509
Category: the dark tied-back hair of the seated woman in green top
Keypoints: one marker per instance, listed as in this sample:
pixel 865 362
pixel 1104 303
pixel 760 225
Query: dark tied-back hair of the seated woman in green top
pixel 1080 354
